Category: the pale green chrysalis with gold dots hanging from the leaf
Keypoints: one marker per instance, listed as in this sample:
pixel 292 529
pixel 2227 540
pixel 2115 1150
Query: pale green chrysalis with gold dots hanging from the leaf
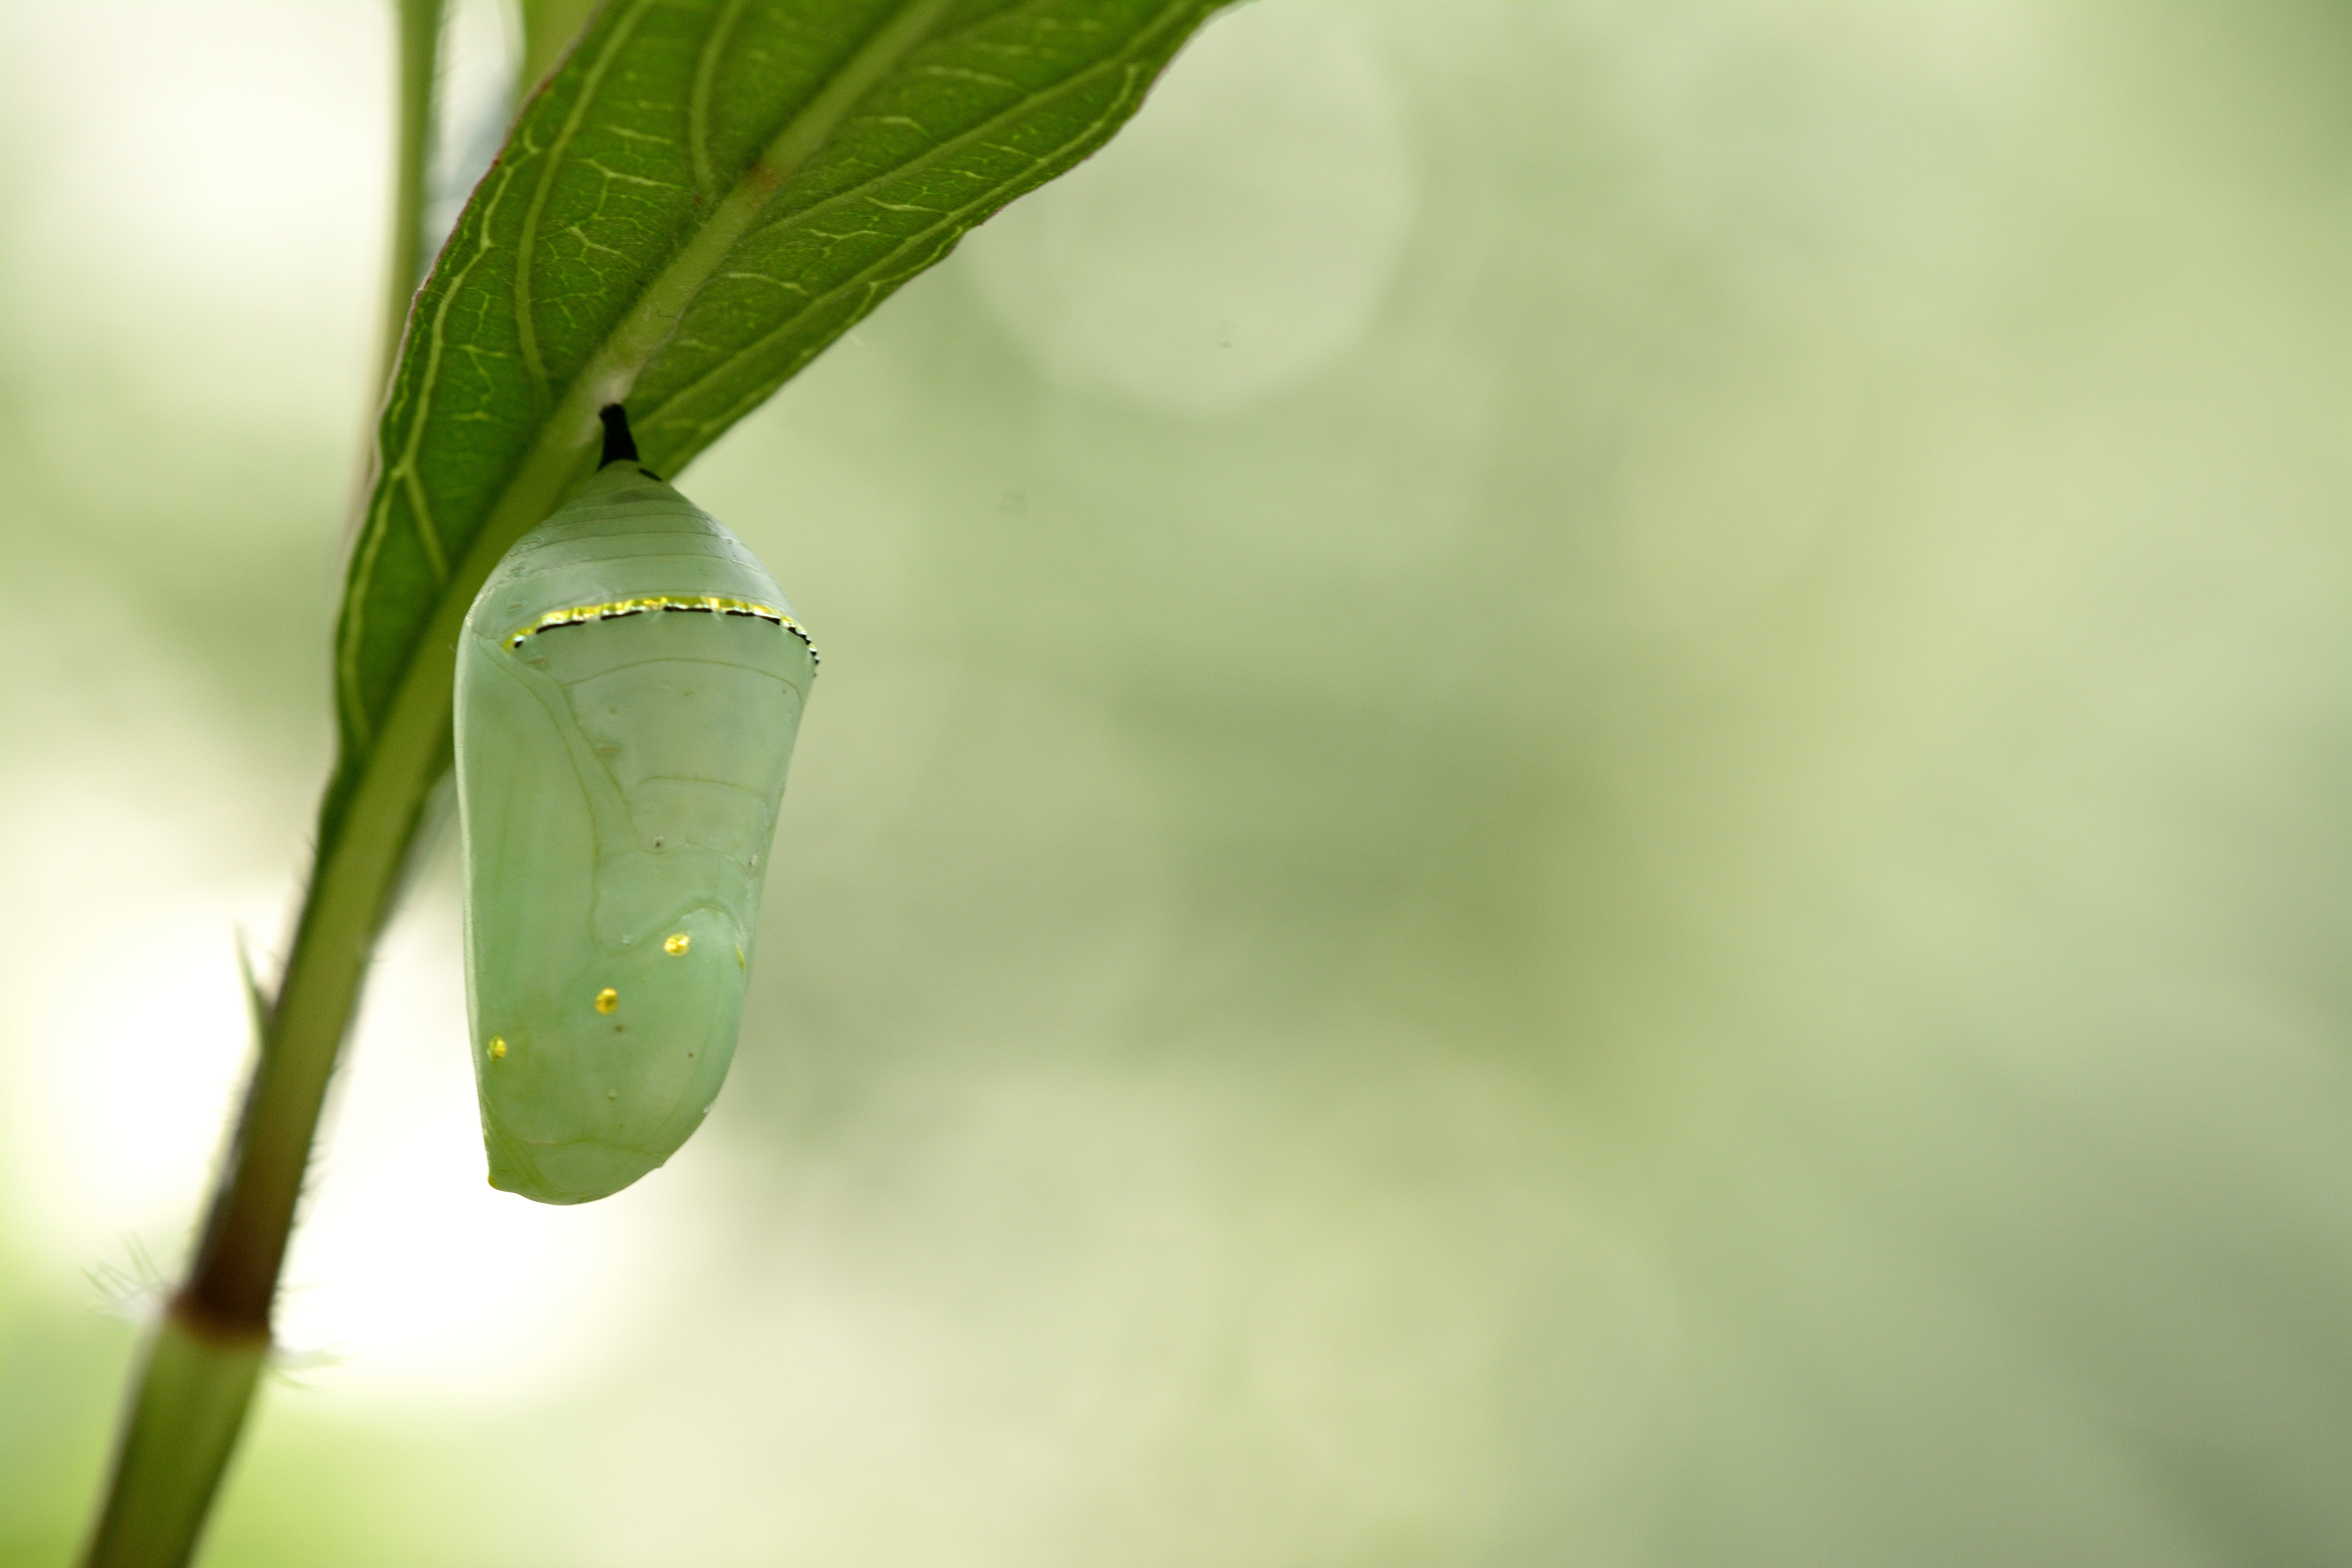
pixel 627 695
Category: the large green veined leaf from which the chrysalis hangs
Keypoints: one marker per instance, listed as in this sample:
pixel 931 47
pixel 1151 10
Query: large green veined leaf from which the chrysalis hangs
pixel 683 217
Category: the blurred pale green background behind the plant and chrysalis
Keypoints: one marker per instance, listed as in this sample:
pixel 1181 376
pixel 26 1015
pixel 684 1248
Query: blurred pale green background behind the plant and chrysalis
pixel 1579 798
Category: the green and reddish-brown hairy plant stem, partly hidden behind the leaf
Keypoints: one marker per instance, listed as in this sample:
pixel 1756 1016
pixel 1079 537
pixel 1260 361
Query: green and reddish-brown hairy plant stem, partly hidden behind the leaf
pixel 201 1367
